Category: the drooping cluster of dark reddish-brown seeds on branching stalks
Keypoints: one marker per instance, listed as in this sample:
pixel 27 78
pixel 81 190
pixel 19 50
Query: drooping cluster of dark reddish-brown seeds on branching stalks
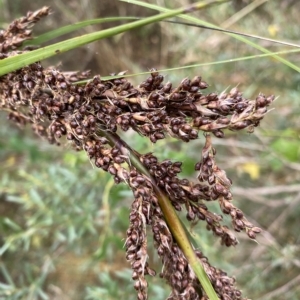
pixel 89 116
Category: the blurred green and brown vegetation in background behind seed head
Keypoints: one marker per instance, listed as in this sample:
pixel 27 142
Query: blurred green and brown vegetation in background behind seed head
pixel 63 223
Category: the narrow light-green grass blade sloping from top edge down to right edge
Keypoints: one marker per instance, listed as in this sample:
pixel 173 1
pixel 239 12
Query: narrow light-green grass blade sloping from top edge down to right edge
pixel 201 22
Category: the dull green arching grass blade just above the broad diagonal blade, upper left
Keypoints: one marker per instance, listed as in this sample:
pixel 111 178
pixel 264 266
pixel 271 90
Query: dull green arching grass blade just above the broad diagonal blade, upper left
pixel 48 36
